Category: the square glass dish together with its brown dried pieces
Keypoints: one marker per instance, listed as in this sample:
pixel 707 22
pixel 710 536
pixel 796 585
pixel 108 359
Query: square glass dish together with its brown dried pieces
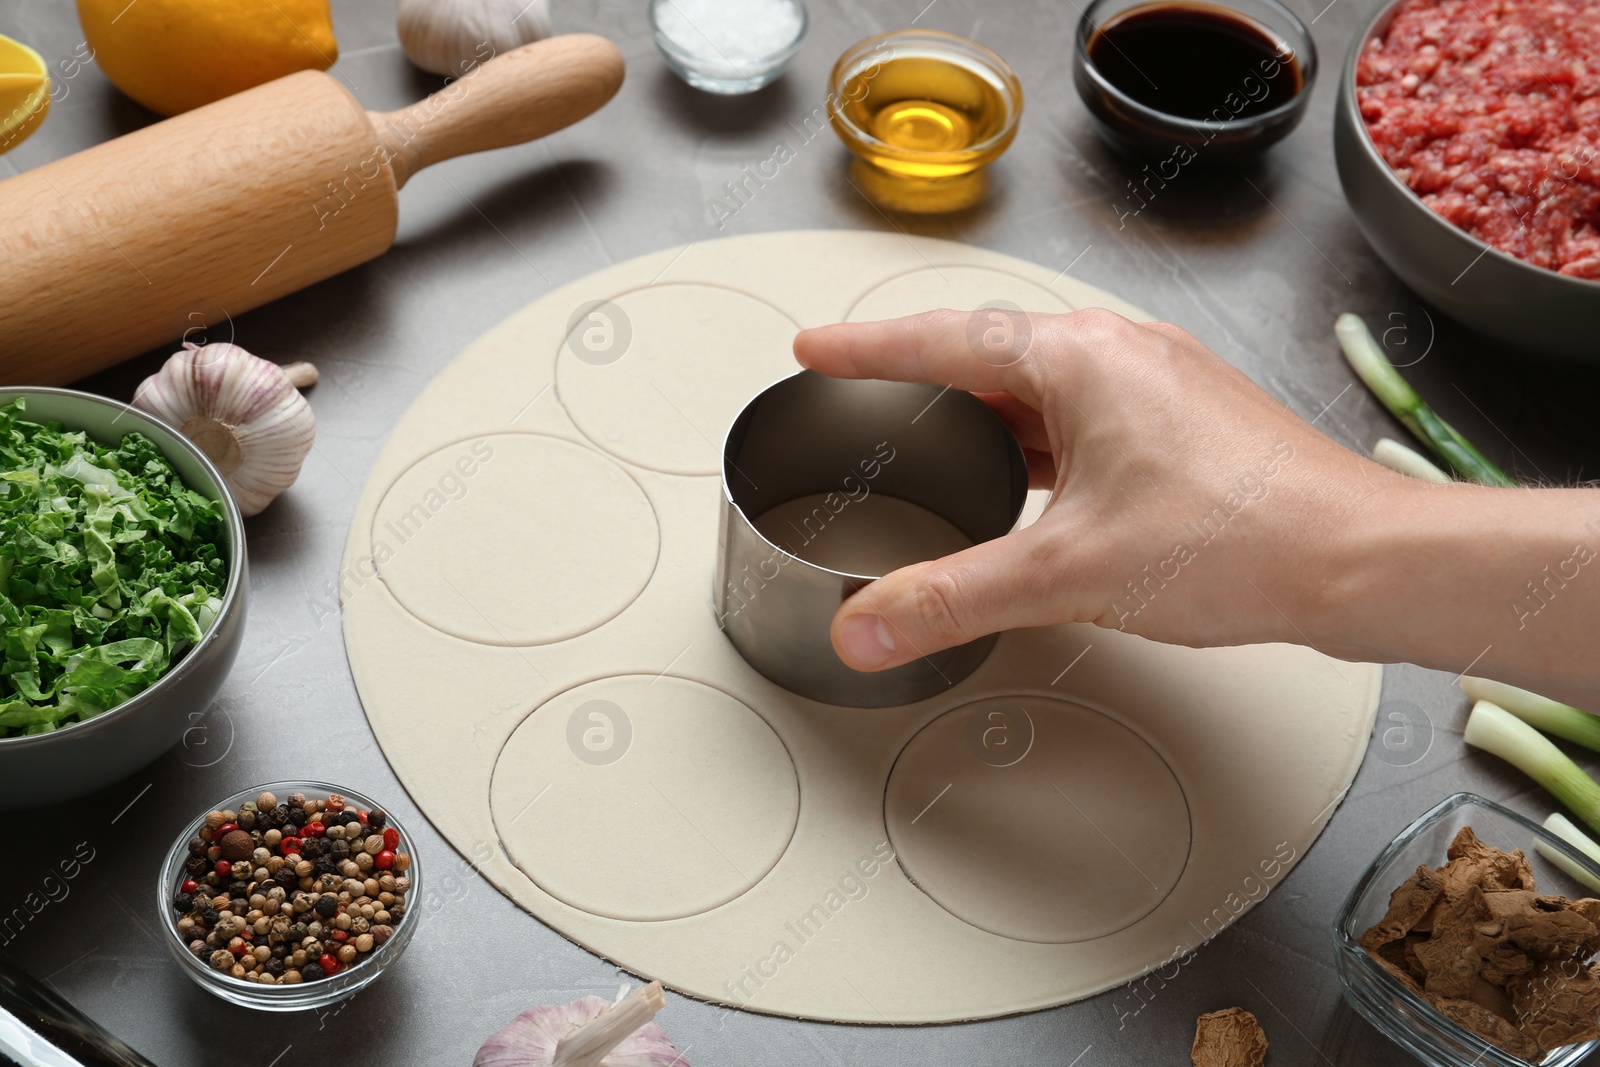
pixel 1474 940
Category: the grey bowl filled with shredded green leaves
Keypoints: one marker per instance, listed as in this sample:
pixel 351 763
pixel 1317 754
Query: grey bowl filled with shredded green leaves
pixel 122 591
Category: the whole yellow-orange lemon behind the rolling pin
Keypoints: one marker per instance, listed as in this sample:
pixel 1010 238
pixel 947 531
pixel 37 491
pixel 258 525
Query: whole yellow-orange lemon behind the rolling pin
pixel 177 55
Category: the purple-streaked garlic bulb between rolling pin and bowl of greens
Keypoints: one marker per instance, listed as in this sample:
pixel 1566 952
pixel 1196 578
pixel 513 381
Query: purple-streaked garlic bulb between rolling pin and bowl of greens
pixel 242 412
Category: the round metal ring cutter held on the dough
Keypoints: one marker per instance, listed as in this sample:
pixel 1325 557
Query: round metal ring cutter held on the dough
pixel 844 441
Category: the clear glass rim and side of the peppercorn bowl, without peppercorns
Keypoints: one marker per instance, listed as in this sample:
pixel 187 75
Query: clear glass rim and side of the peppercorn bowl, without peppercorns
pixel 302 996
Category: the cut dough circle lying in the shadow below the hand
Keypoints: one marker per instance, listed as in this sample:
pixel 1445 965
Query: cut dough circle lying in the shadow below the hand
pixel 1086 831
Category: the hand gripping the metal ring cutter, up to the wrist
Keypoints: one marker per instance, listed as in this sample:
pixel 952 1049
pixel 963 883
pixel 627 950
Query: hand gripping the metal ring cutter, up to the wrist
pixel 1188 505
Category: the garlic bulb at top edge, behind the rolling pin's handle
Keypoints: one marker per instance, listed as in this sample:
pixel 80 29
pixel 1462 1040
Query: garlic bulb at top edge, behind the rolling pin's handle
pixel 455 36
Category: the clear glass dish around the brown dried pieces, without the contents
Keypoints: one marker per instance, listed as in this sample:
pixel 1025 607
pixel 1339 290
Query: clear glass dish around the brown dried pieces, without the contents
pixel 1378 997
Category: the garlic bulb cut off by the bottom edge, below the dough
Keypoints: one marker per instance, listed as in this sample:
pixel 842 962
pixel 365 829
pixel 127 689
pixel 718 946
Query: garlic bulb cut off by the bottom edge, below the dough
pixel 590 1033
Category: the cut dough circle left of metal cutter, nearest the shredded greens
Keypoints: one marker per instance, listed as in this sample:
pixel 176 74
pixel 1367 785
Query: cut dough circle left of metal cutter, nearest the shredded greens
pixel 511 498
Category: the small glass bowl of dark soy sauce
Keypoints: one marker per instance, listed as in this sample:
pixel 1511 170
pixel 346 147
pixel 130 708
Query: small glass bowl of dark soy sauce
pixel 1188 82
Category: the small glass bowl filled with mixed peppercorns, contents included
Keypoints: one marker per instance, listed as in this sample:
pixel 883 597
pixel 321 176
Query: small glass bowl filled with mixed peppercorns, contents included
pixel 289 897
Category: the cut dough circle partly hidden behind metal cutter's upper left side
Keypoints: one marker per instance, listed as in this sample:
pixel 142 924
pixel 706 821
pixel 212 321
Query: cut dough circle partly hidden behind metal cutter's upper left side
pixel 666 402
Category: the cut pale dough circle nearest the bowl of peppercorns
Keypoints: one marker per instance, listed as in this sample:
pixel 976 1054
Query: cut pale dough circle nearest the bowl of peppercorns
pixel 695 812
